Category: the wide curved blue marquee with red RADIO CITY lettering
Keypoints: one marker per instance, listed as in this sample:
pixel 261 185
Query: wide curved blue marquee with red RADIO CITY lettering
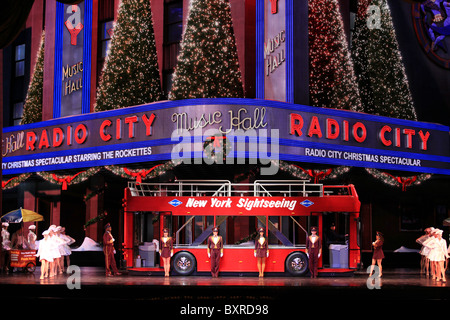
pixel 258 131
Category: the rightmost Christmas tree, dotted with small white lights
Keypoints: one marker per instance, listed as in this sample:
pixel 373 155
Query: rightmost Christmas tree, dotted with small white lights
pixel 378 63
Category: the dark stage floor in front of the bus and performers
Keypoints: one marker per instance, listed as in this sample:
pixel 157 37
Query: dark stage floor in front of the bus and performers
pixel 91 293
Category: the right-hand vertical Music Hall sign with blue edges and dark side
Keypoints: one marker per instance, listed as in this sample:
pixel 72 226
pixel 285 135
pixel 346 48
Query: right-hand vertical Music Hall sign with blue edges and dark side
pixel 282 50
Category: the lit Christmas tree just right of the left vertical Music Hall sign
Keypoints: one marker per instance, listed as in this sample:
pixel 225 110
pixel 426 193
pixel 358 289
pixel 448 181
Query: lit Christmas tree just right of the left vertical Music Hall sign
pixel 130 75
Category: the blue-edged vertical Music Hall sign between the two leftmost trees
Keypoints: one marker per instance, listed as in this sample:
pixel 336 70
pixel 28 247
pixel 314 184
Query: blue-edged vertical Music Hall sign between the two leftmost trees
pixel 72 59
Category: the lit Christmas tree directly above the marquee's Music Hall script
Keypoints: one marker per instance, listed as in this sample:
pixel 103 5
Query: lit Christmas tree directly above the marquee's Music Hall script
pixel 208 65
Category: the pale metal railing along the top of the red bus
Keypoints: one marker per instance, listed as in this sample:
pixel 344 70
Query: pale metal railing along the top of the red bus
pixel 225 188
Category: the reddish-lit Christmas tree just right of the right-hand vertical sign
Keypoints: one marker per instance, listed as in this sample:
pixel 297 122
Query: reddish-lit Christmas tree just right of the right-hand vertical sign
pixel 332 78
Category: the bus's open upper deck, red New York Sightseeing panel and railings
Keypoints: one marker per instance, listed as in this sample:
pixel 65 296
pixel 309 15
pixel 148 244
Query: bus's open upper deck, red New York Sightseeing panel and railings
pixel 261 198
